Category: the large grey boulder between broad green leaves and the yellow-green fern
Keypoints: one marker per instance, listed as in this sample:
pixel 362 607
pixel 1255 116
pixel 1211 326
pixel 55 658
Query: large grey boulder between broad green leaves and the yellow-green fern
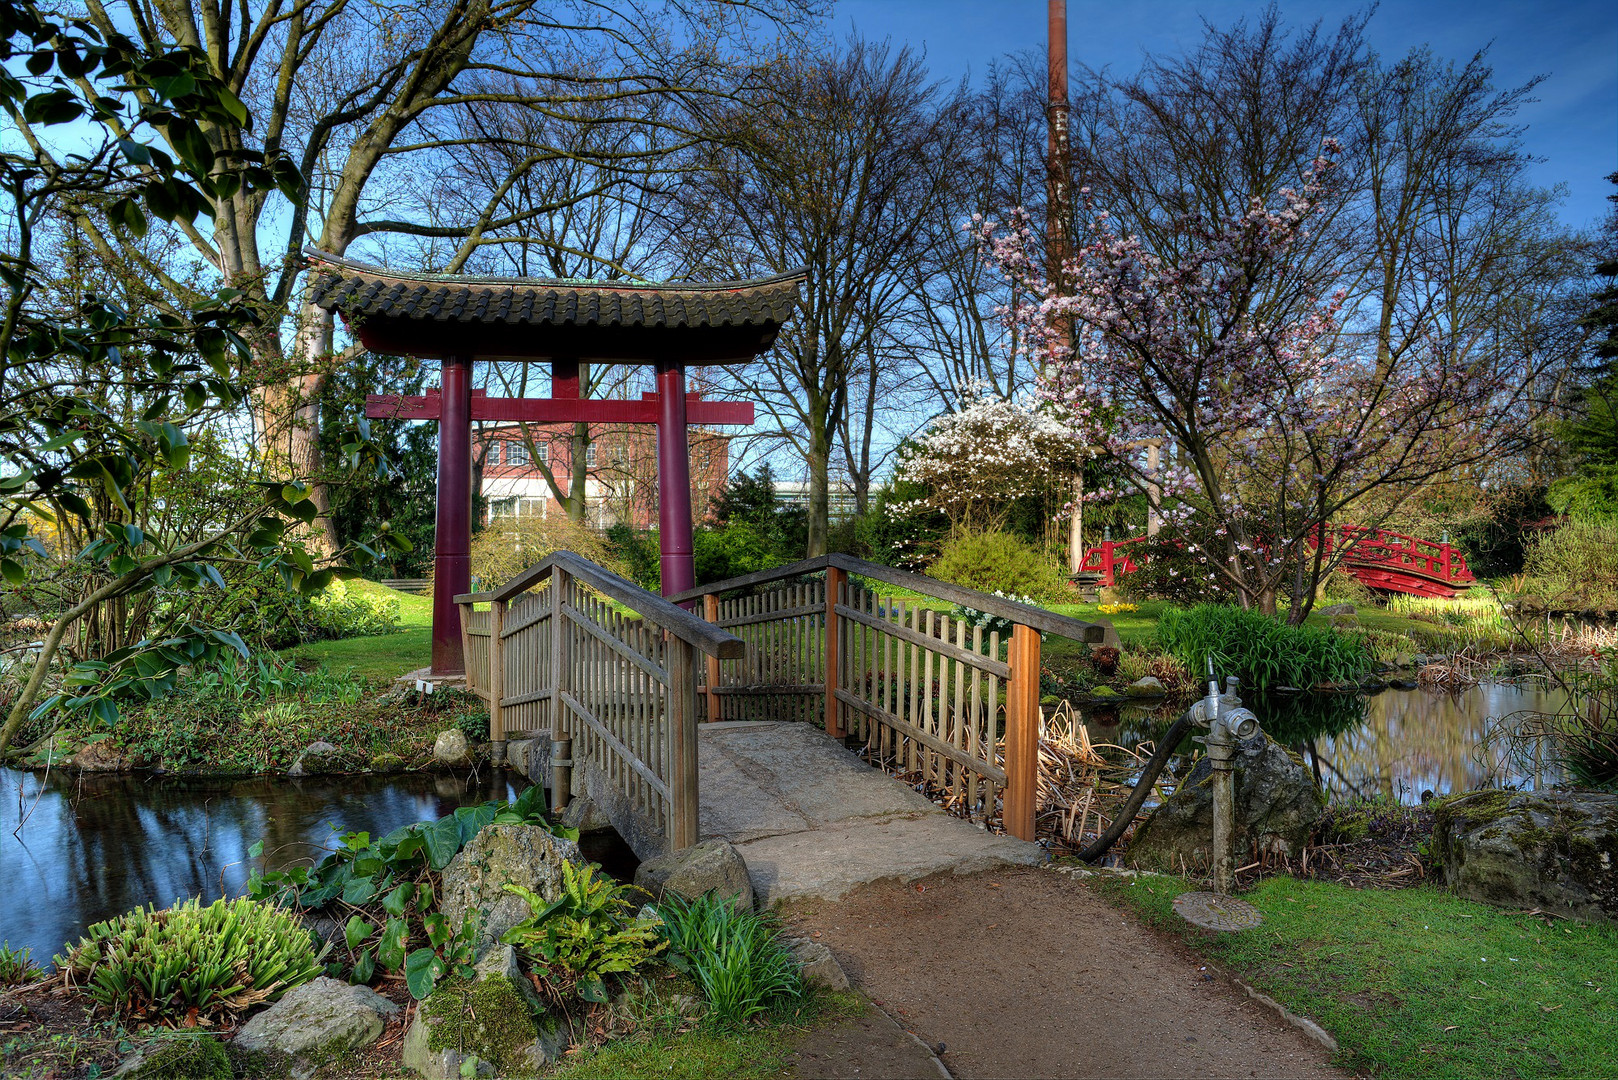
pixel 475 880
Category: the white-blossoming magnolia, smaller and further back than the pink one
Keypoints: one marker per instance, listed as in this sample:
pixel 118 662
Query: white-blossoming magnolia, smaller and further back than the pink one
pixel 991 451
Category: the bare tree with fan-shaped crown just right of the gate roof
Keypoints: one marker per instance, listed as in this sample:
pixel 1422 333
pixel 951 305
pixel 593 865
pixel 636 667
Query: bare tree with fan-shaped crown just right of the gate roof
pixel 834 169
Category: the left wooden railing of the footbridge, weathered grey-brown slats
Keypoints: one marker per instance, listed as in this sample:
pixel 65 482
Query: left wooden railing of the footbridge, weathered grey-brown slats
pixel 551 653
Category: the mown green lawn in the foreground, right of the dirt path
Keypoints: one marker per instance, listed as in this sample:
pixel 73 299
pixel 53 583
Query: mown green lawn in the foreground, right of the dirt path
pixel 1418 982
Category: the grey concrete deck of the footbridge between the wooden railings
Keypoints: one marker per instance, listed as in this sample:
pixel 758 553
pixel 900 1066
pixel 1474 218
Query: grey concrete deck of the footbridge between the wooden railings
pixel 816 822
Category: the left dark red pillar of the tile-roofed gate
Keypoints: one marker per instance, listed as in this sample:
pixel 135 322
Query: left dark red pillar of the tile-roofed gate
pixel 454 530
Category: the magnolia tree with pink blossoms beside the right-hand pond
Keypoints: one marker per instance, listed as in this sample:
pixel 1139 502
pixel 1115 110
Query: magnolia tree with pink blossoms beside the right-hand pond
pixel 1273 425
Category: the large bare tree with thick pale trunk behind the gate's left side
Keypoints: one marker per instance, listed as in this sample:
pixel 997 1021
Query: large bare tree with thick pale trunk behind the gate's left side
pixel 354 95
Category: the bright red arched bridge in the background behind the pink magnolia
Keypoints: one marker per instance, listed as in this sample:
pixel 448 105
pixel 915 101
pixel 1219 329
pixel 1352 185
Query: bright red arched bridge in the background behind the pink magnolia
pixel 1378 558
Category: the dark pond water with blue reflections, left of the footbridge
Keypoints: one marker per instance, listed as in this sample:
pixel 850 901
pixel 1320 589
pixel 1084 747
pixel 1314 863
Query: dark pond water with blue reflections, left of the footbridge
pixel 78 849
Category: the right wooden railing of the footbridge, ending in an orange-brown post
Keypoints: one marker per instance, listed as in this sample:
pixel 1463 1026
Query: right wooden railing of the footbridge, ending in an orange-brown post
pixel 934 695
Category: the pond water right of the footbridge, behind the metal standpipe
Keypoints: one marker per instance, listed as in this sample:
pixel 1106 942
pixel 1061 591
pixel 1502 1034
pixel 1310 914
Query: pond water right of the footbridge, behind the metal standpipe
pixel 1396 744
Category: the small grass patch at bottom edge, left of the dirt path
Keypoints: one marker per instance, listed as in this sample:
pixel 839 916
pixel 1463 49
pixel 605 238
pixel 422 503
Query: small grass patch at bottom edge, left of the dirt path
pixel 763 1050
